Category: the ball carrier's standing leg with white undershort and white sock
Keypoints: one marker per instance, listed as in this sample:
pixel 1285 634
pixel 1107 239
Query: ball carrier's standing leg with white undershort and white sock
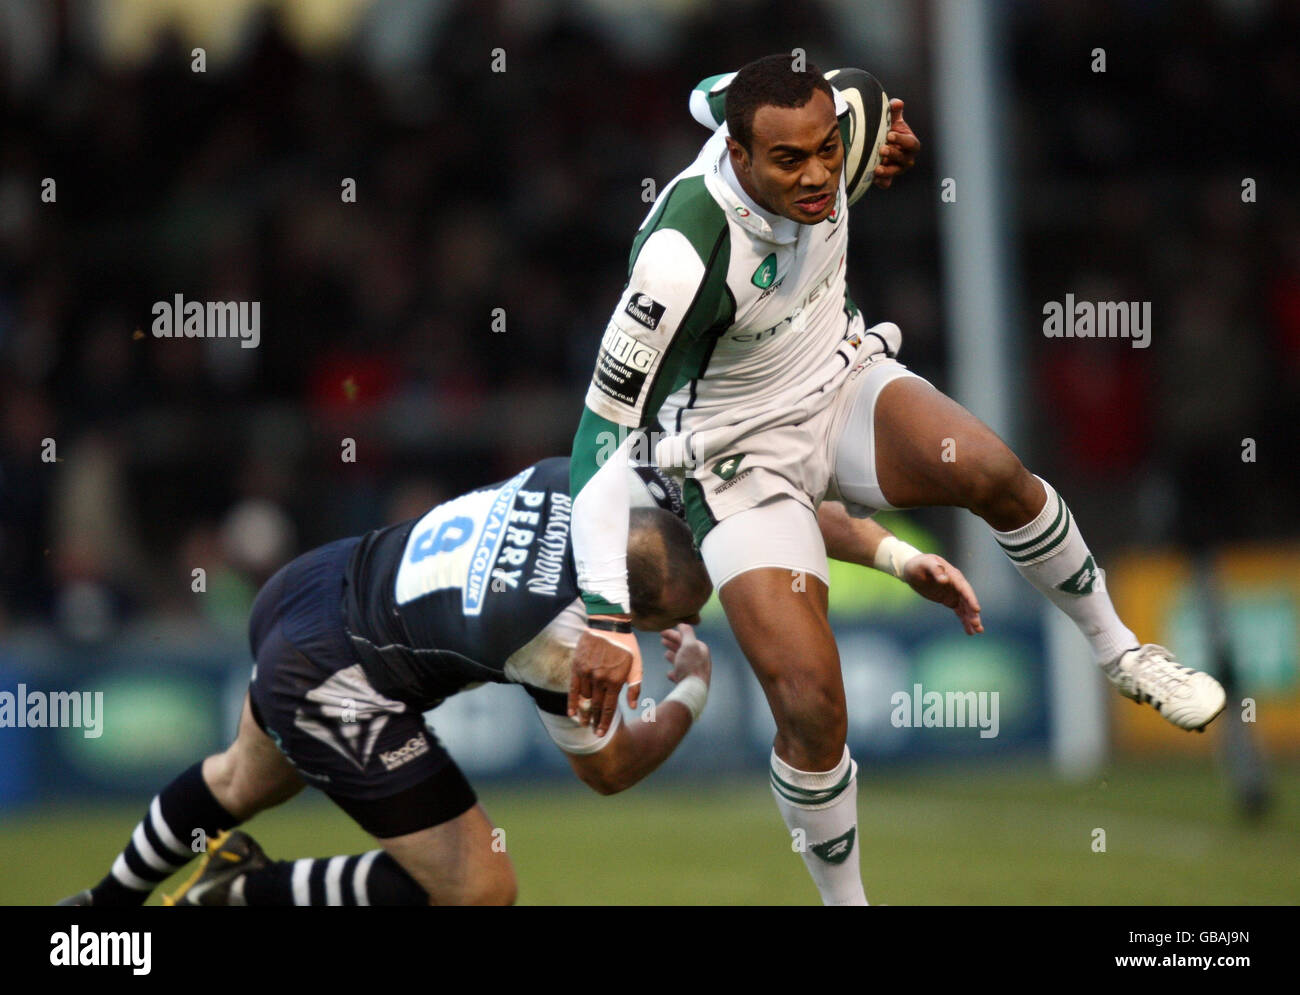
pixel 775 599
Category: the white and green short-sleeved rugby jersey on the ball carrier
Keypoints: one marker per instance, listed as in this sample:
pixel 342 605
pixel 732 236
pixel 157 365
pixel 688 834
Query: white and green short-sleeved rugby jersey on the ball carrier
pixel 727 306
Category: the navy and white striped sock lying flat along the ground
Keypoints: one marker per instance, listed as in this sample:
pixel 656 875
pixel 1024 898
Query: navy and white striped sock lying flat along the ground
pixel 370 879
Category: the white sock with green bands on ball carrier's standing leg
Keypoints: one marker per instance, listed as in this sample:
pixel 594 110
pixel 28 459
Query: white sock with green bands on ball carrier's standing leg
pixel 821 810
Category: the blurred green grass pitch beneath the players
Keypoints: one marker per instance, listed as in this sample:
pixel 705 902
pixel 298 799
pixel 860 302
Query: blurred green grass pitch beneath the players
pixel 929 838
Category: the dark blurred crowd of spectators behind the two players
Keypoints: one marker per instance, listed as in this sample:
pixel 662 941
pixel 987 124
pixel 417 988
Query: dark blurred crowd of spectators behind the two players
pixel 448 319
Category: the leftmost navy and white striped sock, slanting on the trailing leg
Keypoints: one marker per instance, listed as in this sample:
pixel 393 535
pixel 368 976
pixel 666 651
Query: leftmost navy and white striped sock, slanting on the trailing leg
pixel 164 840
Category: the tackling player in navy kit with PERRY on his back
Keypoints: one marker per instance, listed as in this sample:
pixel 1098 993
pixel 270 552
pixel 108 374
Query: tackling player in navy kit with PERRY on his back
pixel 354 642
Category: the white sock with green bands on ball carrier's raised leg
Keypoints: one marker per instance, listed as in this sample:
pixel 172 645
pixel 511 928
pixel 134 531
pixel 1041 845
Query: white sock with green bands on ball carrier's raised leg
pixel 1052 556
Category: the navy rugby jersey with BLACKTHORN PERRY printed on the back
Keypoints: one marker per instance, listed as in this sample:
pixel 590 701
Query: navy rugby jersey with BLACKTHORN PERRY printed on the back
pixel 439 604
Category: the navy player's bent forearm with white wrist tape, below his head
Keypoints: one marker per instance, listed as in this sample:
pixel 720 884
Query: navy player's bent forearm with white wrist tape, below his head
pixel 642 745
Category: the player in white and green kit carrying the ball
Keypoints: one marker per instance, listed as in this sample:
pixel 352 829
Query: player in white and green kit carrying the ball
pixel 736 341
